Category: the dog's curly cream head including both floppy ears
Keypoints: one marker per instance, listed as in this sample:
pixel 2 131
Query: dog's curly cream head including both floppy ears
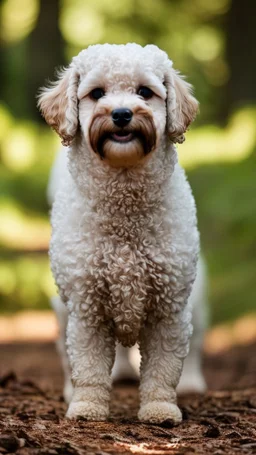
pixel 124 99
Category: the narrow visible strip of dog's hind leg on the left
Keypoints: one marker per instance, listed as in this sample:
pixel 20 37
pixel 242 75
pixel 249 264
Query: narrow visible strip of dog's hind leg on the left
pixel 62 318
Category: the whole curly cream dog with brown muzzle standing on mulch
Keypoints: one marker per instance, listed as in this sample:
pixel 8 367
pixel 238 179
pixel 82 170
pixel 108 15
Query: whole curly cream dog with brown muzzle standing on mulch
pixel 125 243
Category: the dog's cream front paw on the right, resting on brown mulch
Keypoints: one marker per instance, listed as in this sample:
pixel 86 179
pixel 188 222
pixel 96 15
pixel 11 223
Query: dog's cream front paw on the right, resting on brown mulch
pixel 159 412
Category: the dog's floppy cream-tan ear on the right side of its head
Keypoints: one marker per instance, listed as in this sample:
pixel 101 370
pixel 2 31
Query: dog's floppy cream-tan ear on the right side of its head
pixel 182 107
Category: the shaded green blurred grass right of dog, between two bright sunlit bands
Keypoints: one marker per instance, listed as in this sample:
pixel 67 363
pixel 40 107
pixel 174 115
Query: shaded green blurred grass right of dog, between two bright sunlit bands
pixel 225 196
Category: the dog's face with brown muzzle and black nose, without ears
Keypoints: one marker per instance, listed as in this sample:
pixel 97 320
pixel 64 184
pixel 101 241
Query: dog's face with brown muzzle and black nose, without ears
pixel 122 109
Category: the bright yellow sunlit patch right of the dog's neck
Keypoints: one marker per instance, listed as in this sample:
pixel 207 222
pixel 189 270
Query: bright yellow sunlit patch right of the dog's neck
pixel 213 144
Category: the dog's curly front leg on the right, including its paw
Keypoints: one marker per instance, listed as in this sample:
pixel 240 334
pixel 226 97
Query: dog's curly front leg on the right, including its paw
pixel 163 346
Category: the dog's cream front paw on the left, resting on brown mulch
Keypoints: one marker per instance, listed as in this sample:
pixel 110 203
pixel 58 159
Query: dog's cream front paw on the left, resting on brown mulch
pixel 87 410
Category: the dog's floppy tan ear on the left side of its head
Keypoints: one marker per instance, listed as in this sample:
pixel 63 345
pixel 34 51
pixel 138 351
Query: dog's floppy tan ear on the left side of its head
pixel 58 104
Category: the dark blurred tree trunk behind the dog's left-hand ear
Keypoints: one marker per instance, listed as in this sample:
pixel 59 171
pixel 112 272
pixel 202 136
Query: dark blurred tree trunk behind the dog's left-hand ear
pixel 45 51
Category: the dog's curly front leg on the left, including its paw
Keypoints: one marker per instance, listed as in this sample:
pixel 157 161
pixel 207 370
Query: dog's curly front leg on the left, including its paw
pixel 91 352
